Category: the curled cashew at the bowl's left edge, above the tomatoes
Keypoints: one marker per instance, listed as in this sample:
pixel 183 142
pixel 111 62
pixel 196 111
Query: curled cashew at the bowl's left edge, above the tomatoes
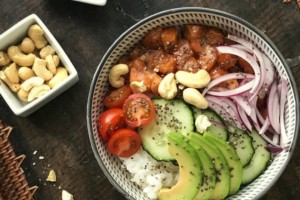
pixel 116 73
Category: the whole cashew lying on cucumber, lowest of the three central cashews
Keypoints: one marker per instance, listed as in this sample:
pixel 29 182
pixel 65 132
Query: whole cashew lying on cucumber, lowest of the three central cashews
pixel 194 97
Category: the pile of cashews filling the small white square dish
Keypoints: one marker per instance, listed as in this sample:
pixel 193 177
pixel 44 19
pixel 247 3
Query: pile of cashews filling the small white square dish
pixel 32 68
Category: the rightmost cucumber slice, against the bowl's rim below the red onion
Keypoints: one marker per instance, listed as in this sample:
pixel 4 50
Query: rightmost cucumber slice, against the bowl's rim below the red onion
pixel 259 160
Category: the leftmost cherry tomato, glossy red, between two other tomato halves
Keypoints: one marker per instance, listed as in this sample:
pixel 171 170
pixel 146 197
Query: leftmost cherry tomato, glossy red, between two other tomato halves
pixel 110 121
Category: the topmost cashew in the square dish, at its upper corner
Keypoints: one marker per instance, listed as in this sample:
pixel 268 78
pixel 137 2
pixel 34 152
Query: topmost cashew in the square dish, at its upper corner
pixel 36 33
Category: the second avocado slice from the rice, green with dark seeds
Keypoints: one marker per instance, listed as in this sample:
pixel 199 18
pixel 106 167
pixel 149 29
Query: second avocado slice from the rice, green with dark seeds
pixel 209 176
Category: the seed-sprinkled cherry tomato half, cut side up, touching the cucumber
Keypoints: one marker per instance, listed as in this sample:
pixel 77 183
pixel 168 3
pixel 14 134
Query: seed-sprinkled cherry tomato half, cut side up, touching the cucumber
pixel 138 110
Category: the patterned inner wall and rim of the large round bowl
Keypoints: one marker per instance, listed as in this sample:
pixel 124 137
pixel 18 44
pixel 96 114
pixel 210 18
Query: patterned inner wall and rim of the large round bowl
pixel 111 165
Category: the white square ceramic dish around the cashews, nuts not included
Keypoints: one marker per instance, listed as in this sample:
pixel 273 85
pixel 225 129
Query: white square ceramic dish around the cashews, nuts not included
pixel 13 36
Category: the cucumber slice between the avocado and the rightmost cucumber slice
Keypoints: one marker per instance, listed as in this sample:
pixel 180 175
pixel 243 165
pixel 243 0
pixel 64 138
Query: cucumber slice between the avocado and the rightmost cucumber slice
pixel 242 143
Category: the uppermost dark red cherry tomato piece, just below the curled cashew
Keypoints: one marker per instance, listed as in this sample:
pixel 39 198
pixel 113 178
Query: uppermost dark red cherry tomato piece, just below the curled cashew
pixel 116 98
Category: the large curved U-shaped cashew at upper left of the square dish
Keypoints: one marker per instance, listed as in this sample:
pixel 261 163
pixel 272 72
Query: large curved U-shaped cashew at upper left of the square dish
pixel 19 58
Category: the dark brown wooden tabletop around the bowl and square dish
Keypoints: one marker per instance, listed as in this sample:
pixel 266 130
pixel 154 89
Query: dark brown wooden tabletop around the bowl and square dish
pixel 58 131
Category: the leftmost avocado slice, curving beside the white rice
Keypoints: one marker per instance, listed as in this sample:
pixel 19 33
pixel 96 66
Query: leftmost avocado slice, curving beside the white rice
pixel 190 176
